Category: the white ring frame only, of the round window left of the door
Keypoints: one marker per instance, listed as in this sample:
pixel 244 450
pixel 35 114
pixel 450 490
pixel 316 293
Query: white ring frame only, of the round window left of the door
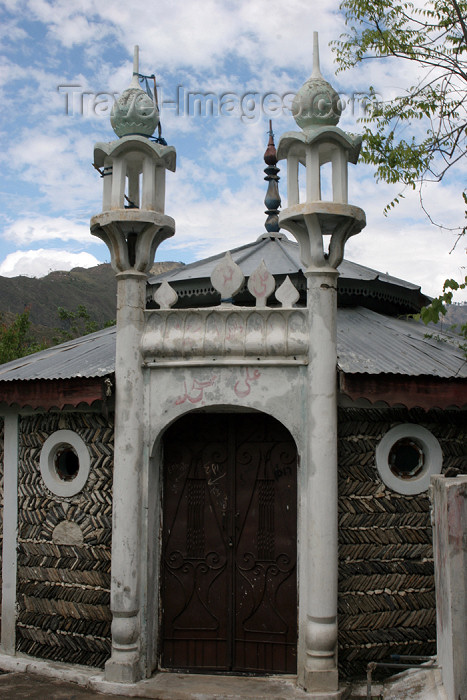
pixel 58 441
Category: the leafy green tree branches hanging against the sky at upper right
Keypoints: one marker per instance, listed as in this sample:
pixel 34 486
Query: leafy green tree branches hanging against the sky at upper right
pixel 420 134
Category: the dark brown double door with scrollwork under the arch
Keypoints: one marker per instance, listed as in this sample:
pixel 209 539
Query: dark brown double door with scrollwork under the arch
pixel 229 552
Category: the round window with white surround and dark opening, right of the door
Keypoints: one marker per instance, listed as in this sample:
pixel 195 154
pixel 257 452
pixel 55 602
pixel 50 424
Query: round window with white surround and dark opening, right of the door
pixel 407 456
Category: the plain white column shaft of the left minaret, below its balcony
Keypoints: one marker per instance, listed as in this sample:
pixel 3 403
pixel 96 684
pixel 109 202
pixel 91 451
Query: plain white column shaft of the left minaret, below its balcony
pixel 125 664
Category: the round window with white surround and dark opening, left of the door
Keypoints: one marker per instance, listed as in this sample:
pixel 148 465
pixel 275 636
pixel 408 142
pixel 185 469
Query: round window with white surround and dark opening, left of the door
pixel 64 463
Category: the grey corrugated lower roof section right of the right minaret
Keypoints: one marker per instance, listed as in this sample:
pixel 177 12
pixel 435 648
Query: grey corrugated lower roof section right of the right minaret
pixel 371 343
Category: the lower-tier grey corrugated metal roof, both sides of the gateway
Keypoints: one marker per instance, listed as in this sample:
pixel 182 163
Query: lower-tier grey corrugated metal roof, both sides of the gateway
pixel 367 342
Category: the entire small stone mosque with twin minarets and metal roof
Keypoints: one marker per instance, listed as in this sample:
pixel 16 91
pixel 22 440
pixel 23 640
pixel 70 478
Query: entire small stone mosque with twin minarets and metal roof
pixel 234 479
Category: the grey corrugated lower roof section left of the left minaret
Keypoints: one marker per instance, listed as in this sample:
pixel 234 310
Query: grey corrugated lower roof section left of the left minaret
pixel 90 356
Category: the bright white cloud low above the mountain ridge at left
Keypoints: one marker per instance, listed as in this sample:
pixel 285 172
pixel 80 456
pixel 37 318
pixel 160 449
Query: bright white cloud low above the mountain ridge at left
pixel 37 263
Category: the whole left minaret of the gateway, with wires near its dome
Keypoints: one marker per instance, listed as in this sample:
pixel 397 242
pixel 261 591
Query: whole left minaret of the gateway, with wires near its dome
pixel 132 224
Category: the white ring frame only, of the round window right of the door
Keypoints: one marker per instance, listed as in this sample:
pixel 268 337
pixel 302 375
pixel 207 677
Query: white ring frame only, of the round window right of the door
pixel 433 458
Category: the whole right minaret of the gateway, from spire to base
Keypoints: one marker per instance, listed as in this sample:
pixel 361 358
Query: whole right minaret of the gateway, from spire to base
pixel 317 109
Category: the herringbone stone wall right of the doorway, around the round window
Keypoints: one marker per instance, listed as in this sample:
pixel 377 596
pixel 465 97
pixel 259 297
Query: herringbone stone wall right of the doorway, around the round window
pixel 386 581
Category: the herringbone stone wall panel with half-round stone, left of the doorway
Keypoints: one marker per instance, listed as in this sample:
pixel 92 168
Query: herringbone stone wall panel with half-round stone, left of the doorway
pixel 63 592
